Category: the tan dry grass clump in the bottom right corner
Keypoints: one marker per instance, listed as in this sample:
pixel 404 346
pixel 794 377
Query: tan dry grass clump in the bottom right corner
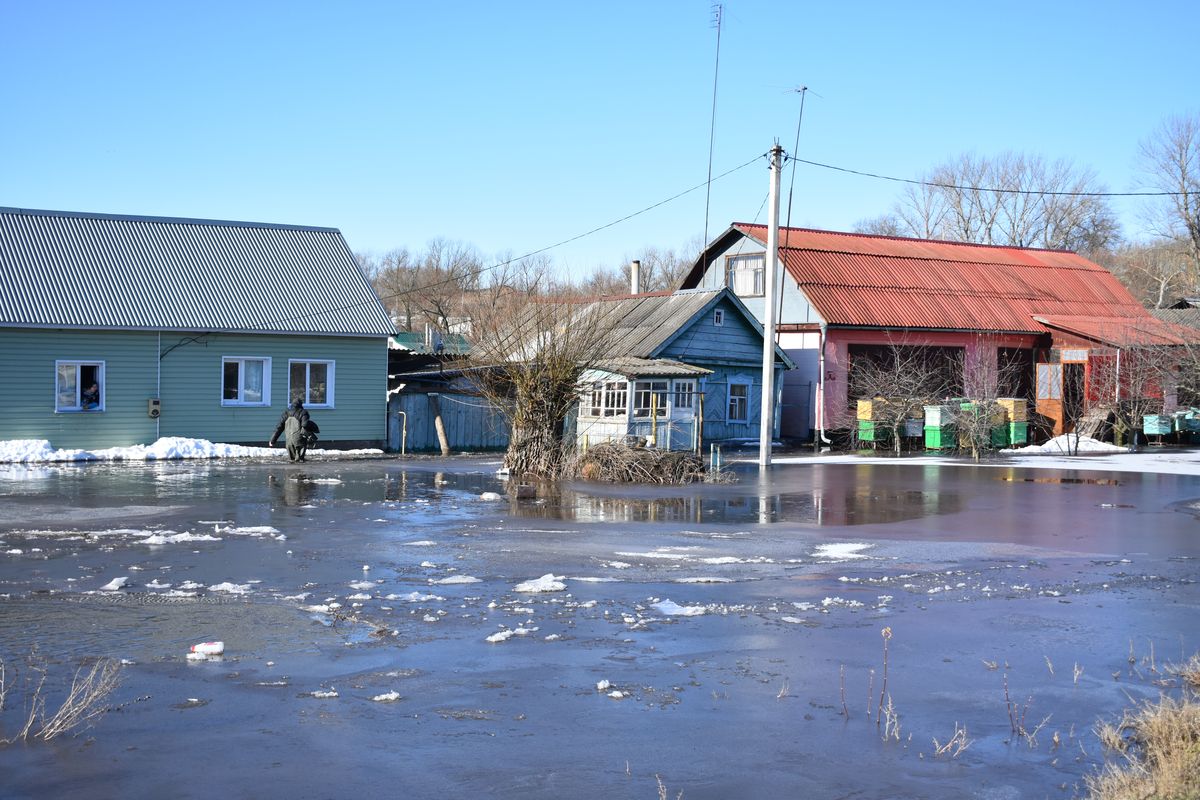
pixel 1160 748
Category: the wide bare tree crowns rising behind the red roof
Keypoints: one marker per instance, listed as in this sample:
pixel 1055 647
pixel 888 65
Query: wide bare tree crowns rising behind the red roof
pixel 1012 200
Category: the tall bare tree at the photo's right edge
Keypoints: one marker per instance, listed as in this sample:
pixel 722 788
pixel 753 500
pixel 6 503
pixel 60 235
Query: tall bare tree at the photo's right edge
pixel 1171 163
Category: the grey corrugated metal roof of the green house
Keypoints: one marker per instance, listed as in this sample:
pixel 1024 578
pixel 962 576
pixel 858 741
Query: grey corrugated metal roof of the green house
pixel 63 269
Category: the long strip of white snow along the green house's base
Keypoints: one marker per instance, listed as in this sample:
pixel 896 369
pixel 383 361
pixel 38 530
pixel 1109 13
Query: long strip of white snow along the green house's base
pixel 169 448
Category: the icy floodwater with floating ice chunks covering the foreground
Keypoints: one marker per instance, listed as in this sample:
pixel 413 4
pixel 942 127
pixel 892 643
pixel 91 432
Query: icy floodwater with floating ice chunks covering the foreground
pixel 392 634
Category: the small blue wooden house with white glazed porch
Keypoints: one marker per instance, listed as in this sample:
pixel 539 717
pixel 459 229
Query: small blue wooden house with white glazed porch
pixel 683 369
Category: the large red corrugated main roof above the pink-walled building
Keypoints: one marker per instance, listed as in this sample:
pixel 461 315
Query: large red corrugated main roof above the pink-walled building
pixel 865 281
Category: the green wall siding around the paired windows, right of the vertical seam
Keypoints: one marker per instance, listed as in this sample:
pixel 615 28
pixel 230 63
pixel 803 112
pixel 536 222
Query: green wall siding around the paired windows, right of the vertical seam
pixel 193 387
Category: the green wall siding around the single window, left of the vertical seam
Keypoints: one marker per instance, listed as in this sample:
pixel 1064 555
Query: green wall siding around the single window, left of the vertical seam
pixel 27 360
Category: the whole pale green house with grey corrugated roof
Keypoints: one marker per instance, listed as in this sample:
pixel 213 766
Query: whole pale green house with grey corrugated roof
pixel 121 330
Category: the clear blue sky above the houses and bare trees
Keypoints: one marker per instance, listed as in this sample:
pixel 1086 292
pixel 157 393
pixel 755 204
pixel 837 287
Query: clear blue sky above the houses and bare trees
pixel 518 125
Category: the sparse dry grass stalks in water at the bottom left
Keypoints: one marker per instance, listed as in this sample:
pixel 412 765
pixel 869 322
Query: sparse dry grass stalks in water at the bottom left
pixel 85 701
